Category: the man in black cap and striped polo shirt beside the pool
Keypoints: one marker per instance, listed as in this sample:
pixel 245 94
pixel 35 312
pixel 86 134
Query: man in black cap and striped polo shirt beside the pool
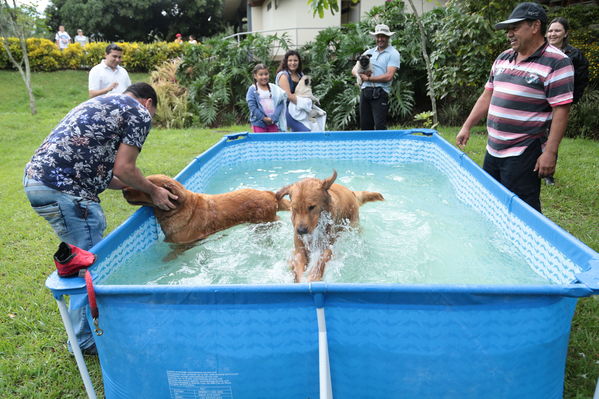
pixel 526 101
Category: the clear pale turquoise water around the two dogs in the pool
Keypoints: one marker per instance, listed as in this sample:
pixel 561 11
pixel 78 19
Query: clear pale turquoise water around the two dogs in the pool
pixel 420 234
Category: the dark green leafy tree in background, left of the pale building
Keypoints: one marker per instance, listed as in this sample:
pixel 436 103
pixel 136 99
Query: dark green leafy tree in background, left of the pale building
pixel 137 20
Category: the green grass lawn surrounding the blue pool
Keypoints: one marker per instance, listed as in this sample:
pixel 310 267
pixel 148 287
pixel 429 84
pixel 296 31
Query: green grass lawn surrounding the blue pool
pixel 34 362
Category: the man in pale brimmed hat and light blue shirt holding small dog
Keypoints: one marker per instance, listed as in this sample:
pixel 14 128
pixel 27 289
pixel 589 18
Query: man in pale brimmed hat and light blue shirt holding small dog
pixel 375 88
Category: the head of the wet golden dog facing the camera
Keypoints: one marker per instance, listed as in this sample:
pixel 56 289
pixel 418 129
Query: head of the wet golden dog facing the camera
pixel 309 198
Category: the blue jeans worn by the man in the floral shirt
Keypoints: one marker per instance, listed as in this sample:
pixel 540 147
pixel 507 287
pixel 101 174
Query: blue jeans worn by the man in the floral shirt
pixel 76 221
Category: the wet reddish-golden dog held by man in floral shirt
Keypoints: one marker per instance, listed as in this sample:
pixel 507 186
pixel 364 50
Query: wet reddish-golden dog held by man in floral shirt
pixel 197 216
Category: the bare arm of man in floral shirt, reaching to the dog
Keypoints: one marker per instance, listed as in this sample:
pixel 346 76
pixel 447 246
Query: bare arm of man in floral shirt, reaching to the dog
pixel 127 173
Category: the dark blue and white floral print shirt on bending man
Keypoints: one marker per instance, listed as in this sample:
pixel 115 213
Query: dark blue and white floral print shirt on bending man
pixel 77 158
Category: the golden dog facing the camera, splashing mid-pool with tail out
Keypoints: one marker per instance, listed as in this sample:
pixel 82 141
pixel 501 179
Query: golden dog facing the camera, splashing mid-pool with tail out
pixel 312 200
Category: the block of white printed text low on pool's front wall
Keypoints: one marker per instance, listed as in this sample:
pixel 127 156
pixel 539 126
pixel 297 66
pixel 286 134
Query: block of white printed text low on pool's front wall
pixel 200 384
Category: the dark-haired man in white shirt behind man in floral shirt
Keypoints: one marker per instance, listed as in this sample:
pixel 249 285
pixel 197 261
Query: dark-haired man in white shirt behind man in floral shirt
pixel 108 76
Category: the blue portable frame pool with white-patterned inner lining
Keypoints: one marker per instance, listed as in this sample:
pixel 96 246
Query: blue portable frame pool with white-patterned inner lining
pixel 343 340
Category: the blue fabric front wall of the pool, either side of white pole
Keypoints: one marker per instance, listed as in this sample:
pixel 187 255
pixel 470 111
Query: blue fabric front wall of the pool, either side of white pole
pixel 262 343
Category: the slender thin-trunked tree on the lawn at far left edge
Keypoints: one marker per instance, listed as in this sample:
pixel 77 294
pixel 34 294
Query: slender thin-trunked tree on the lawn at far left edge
pixel 15 22
